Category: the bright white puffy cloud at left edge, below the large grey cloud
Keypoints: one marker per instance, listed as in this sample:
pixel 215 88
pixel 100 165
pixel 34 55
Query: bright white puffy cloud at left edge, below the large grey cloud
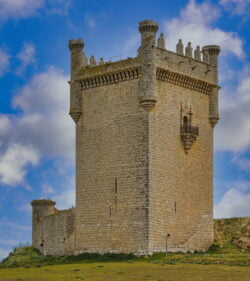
pixel 13 162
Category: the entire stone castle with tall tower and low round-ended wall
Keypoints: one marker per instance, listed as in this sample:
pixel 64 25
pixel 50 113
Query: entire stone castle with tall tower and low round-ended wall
pixel 144 152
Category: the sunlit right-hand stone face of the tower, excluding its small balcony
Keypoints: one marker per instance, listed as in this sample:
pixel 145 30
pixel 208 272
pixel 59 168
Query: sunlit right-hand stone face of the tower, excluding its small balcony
pixel 180 198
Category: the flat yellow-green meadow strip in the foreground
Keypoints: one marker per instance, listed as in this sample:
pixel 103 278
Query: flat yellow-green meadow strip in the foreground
pixel 123 271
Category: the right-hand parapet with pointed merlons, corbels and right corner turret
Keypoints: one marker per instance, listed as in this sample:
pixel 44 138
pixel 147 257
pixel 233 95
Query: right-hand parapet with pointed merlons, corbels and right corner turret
pixel 196 70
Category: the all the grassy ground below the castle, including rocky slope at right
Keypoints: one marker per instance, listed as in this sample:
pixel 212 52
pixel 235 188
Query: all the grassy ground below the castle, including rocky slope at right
pixel 227 259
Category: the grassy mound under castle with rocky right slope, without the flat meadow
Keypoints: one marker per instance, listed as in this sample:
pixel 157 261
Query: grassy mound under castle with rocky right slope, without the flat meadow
pixel 231 246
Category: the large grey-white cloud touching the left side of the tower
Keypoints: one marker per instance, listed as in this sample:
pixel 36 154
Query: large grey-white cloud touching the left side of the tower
pixel 45 122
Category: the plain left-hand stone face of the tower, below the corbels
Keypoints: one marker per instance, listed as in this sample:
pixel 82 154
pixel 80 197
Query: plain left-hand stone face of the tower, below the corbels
pixel 112 171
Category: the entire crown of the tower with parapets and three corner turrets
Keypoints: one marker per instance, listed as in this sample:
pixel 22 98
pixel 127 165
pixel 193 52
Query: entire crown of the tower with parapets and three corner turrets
pixel 188 67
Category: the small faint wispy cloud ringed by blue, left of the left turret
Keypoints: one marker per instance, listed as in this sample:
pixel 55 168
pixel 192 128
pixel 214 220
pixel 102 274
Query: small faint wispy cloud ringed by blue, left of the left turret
pixel 26 56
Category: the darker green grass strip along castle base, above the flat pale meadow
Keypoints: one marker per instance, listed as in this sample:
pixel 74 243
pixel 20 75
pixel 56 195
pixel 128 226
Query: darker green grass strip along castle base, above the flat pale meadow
pixel 225 255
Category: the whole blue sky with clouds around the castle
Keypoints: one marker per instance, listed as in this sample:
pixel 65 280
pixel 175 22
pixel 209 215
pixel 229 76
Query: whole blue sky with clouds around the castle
pixel 36 133
